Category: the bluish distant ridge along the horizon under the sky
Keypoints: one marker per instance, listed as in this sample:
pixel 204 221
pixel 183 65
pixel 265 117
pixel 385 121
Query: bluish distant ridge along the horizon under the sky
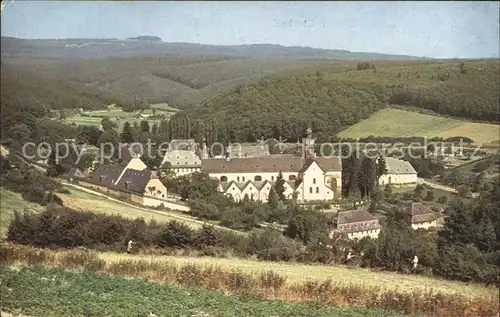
pixel 152 45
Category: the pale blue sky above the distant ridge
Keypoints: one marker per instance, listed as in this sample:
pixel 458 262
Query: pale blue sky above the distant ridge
pixel 434 29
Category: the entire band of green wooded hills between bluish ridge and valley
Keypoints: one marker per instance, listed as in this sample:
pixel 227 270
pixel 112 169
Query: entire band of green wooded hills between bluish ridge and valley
pixel 326 95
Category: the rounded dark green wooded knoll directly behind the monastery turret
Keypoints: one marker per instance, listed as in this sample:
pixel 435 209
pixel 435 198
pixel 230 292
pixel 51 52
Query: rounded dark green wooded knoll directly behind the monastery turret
pixel 286 107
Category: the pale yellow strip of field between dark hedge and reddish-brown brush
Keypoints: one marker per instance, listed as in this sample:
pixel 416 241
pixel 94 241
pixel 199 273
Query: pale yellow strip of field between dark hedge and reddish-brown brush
pixel 296 273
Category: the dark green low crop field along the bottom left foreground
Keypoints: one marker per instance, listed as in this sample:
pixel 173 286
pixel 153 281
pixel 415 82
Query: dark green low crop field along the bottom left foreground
pixel 55 292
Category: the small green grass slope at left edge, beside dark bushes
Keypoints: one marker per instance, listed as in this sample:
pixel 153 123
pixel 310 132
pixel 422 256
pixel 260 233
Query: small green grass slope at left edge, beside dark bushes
pixel 10 202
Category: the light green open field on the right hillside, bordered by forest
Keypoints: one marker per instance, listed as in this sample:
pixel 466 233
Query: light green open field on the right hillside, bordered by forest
pixel 391 122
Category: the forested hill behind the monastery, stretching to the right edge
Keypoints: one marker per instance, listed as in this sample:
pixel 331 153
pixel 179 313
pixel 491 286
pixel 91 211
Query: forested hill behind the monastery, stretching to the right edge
pixel 287 106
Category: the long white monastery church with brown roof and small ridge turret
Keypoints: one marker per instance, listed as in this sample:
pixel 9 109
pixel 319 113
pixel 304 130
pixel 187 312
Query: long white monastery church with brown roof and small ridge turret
pixel 311 178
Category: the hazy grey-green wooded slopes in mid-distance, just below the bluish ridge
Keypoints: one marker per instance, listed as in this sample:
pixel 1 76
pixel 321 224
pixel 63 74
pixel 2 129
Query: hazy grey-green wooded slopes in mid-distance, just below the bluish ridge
pixel 180 80
